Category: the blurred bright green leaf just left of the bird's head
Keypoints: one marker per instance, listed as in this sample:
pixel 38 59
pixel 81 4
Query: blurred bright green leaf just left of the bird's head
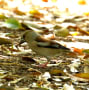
pixel 12 23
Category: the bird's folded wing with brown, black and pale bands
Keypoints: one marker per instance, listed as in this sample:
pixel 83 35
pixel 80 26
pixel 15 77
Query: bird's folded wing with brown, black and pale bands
pixel 46 43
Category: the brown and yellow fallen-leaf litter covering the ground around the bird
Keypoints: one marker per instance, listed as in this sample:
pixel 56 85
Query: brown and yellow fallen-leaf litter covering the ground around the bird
pixel 18 63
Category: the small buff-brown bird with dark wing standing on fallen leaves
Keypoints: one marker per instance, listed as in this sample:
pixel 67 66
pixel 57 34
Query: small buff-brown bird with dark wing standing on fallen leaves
pixel 43 46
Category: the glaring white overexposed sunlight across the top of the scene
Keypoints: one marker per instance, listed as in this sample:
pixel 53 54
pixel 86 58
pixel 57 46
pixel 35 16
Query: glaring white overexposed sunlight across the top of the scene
pixel 64 6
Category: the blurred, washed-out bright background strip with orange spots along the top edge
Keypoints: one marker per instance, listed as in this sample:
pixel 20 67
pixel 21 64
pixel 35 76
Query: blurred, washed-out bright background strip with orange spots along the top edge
pixel 59 7
